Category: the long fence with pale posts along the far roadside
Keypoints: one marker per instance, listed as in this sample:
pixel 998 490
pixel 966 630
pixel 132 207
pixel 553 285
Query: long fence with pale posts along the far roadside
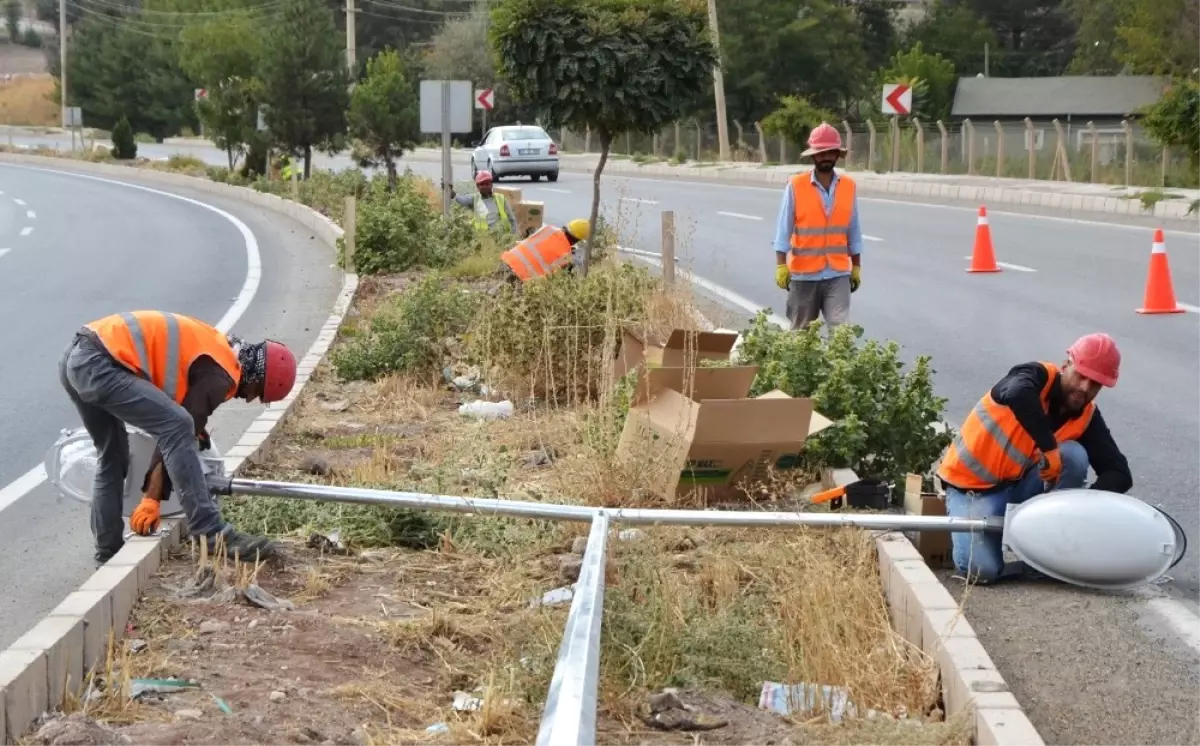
pixel 1113 152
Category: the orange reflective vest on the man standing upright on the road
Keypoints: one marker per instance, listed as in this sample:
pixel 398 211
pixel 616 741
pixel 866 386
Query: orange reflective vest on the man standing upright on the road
pixel 820 240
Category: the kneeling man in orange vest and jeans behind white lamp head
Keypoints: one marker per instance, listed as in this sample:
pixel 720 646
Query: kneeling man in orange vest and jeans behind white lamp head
pixel 1037 430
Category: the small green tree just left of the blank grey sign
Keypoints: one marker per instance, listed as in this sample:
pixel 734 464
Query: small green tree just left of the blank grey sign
pixel 386 113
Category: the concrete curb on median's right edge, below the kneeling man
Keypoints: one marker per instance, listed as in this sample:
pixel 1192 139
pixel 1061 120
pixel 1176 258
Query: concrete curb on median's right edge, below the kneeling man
pixel 929 618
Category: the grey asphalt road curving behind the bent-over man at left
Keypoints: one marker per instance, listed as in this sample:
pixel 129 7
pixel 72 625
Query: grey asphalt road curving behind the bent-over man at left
pixel 74 249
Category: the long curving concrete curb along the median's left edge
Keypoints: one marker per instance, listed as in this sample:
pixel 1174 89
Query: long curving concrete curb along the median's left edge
pixel 55 657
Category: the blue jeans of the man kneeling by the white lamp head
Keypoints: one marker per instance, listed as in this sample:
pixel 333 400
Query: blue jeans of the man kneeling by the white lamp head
pixel 980 556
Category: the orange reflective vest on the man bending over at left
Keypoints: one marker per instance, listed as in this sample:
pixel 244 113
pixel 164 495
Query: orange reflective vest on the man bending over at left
pixel 161 347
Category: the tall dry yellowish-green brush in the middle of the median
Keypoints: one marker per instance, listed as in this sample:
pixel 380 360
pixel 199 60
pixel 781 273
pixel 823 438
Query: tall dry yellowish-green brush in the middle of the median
pixel 553 332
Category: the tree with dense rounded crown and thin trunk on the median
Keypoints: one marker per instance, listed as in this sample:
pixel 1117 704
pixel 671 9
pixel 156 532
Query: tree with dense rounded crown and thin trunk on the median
pixel 611 65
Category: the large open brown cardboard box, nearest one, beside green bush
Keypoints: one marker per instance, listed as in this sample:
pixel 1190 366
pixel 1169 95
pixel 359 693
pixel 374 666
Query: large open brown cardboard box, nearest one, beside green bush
pixel 712 438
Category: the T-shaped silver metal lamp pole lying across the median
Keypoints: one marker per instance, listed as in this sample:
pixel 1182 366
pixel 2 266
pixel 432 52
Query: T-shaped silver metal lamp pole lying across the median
pixel 569 717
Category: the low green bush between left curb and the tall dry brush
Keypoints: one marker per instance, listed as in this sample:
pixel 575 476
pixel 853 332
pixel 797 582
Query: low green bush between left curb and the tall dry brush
pixel 407 336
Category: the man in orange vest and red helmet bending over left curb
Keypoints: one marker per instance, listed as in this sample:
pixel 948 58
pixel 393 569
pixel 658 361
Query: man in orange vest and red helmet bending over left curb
pixel 165 374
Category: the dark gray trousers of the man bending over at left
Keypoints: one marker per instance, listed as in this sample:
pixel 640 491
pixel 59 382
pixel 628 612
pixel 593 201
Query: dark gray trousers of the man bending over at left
pixel 109 396
